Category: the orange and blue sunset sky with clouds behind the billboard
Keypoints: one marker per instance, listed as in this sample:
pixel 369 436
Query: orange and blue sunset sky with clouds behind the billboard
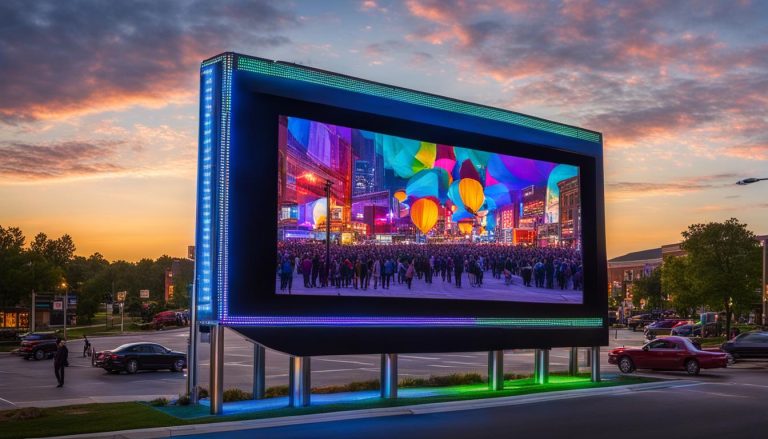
pixel 98 99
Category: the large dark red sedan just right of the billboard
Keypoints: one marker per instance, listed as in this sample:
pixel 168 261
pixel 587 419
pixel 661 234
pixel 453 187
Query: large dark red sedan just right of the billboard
pixel 667 353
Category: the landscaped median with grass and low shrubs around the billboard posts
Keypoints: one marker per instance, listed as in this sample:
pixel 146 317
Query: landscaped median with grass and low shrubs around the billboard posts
pixel 92 418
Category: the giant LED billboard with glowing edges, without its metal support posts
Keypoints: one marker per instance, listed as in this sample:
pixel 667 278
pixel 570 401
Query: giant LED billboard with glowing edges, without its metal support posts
pixel 321 197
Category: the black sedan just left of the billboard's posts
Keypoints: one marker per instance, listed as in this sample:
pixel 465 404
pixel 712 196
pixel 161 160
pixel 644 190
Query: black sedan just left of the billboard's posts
pixel 133 357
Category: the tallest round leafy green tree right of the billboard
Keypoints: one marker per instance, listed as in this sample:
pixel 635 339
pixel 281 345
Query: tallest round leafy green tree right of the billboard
pixel 724 265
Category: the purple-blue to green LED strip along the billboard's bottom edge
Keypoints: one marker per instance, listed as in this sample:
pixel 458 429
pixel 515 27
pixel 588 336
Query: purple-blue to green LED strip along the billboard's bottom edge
pixel 512 323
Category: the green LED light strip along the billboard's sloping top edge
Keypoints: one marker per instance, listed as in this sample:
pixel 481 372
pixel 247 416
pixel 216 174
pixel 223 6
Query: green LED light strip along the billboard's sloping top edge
pixel 299 73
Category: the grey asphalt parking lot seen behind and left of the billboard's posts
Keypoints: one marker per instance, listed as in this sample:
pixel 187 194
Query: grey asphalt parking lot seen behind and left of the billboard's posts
pixel 32 383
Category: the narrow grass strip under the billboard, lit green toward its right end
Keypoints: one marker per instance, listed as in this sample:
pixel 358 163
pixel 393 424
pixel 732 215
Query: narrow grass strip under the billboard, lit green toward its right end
pixel 92 418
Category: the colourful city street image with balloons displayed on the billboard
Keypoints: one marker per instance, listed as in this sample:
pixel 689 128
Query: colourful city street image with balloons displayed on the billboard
pixel 413 219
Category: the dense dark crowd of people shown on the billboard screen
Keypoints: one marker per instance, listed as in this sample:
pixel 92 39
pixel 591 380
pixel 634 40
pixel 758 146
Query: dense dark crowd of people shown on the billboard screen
pixel 363 266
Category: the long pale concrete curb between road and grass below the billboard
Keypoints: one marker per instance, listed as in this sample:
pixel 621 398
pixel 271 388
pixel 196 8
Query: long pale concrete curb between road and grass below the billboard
pixel 418 409
